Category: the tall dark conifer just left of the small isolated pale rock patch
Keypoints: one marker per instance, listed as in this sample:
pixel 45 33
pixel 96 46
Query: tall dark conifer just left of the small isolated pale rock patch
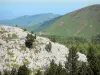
pixel 71 64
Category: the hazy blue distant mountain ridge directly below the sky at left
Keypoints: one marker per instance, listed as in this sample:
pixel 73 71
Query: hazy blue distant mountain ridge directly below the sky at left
pixel 28 20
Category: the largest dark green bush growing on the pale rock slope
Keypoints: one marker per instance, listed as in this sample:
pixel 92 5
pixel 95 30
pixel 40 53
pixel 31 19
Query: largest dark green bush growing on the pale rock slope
pixel 29 40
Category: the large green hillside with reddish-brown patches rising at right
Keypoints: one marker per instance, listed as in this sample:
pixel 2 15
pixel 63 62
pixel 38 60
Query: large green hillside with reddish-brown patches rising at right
pixel 82 22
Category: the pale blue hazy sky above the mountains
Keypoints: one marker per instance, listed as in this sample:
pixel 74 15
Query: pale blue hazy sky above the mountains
pixel 15 8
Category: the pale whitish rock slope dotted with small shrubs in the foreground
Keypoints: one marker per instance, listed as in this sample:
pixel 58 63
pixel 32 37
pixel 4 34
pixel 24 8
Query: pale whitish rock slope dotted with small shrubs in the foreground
pixel 14 53
